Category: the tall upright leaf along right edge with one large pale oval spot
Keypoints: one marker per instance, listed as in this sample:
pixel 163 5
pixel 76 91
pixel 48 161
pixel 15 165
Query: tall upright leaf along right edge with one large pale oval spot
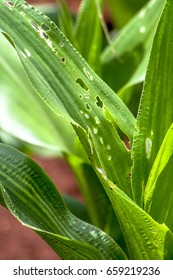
pixel 155 113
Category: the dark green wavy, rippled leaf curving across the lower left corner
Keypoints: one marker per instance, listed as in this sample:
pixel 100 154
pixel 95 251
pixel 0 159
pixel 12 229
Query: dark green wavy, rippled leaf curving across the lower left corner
pixel 33 199
